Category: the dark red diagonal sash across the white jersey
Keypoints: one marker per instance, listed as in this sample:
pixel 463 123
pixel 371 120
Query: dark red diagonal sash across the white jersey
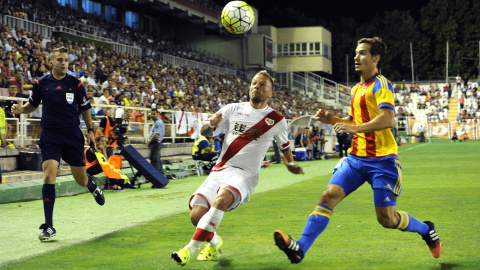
pixel 248 136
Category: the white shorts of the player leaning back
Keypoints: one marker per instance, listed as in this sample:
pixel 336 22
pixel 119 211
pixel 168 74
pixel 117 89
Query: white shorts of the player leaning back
pixel 239 182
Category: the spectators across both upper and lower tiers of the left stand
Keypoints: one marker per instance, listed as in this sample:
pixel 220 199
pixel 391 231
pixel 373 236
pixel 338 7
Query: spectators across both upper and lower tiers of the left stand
pixel 119 78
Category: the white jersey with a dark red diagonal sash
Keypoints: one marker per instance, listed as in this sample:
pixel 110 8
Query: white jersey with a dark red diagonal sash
pixel 249 133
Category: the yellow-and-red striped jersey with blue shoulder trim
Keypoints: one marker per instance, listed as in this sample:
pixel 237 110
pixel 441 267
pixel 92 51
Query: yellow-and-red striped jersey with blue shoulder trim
pixel 366 100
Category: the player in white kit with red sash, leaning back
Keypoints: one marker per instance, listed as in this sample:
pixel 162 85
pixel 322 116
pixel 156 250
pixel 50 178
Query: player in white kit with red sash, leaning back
pixel 249 130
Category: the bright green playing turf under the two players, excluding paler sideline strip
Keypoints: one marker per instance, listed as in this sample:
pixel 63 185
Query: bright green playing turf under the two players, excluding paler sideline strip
pixel 440 183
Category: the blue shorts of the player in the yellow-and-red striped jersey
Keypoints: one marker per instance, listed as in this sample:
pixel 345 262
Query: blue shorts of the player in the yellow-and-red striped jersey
pixel 383 174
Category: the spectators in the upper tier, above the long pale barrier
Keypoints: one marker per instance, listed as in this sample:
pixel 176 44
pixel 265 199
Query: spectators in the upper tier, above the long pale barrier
pixel 92 24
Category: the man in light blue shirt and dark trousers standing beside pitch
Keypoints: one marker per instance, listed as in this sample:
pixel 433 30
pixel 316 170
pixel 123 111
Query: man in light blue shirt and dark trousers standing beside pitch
pixel 157 132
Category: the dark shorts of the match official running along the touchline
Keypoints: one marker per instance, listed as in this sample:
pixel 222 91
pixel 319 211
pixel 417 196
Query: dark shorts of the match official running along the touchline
pixel 67 144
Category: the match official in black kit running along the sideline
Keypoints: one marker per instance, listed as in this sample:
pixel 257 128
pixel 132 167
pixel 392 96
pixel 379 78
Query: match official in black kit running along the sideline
pixel 64 98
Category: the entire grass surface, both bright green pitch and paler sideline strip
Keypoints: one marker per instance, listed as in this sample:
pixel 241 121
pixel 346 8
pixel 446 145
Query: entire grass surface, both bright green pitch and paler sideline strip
pixel 139 229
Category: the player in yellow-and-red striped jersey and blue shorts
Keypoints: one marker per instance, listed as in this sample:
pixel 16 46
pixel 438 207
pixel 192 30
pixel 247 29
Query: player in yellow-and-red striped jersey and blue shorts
pixel 372 158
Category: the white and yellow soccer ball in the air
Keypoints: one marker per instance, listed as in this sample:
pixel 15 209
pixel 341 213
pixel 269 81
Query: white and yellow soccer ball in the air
pixel 238 17
